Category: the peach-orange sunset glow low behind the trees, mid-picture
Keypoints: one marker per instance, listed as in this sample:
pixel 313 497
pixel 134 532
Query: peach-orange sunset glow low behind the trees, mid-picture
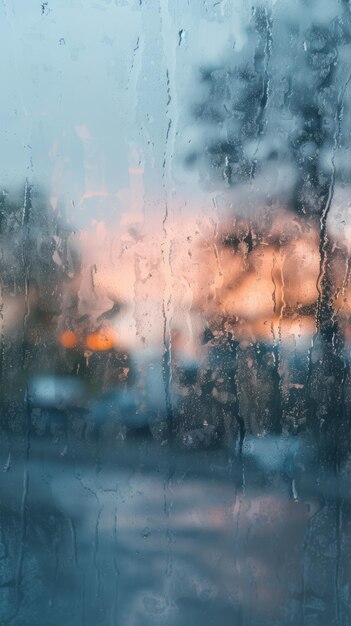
pixel 266 293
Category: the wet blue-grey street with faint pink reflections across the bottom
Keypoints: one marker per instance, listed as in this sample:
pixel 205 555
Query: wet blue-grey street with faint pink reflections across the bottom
pixel 134 533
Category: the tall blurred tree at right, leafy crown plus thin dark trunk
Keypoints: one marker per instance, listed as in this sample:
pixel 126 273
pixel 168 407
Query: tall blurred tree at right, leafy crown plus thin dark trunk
pixel 276 122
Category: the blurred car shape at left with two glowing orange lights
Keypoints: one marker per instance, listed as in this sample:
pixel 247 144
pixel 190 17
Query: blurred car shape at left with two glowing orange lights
pixel 89 377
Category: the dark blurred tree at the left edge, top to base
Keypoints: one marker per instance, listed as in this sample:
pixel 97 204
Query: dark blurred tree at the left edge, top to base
pixel 34 268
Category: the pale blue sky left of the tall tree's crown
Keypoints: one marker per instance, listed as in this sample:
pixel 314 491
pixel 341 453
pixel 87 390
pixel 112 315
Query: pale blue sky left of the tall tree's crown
pixel 97 96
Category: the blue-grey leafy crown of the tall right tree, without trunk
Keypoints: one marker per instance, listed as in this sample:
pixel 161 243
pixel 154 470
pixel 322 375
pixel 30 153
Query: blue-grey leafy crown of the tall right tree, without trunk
pixel 275 112
